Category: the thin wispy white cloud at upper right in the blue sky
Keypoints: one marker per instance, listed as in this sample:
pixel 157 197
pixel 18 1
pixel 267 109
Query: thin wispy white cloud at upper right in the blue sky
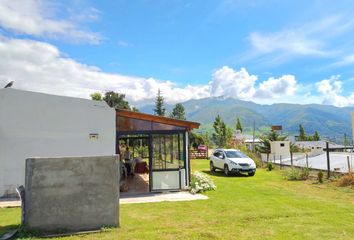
pixel 309 39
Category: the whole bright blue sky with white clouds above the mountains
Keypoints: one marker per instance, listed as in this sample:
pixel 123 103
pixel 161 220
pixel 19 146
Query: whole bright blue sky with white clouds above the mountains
pixel 263 51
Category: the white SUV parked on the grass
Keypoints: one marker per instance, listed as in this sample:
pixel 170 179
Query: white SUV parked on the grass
pixel 232 160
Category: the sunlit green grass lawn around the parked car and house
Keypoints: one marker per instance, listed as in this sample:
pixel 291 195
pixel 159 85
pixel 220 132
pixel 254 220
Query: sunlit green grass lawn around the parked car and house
pixel 261 207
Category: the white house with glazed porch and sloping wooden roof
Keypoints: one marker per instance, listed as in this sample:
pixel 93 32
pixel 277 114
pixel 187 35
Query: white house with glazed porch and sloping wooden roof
pixel 42 125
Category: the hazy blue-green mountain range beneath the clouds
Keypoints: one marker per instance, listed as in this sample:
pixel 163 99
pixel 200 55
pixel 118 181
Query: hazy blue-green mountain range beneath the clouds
pixel 331 122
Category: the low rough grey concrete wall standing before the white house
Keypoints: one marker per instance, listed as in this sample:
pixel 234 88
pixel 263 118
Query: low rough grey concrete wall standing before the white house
pixel 71 193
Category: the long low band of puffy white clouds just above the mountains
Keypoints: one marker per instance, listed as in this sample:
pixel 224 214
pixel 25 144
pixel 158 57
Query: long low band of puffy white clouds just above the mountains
pixel 41 67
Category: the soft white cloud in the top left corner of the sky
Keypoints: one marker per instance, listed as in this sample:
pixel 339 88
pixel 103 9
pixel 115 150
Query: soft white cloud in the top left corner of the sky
pixel 34 17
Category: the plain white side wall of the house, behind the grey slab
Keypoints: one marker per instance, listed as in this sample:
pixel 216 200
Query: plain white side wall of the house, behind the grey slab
pixel 42 125
